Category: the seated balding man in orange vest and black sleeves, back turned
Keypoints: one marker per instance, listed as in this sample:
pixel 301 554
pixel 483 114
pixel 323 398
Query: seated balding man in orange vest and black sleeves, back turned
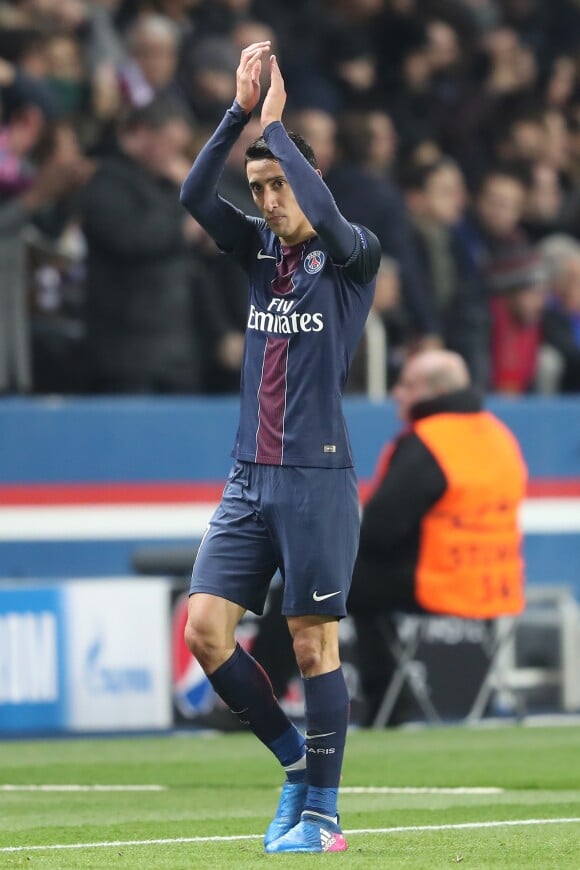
pixel 440 530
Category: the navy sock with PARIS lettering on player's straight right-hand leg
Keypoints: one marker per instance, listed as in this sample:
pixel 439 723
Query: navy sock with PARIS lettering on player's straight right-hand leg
pixel 327 709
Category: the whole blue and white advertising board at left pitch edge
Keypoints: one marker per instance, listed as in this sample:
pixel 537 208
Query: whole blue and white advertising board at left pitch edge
pixel 85 656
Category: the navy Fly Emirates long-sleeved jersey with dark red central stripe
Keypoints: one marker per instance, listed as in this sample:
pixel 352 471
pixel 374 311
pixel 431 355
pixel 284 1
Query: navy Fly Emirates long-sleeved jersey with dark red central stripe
pixel 307 307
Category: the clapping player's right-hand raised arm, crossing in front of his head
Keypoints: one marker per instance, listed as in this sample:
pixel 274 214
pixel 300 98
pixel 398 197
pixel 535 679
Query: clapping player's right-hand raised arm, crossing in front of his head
pixel 311 192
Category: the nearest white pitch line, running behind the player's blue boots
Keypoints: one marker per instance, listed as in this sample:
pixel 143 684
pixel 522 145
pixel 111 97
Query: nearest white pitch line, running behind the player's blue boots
pixel 509 823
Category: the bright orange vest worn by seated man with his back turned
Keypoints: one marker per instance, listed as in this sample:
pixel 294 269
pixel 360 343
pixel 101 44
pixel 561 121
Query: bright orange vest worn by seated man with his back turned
pixel 470 561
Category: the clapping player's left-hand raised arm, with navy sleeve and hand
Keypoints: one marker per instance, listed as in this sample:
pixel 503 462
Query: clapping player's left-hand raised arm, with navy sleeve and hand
pixel 225 223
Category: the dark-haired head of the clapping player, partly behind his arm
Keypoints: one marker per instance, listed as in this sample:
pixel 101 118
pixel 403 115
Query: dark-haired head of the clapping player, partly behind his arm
pixel 272 192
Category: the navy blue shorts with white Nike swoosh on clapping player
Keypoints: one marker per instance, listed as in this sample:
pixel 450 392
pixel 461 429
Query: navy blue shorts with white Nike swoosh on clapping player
pixel 304 521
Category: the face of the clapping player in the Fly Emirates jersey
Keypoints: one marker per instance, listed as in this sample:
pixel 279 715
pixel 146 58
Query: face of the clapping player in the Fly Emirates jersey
pixel 275 199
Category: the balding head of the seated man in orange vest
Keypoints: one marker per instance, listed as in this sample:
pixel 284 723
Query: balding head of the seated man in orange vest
pixel 427 375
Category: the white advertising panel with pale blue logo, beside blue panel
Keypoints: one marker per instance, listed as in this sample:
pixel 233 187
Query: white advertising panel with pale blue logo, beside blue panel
pixel 118 655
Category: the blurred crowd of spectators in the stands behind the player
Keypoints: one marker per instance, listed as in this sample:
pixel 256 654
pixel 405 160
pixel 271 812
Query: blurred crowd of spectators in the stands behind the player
pixel 449 127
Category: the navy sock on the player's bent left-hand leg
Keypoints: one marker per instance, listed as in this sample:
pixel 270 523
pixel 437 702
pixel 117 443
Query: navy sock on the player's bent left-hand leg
pixel 245 687
